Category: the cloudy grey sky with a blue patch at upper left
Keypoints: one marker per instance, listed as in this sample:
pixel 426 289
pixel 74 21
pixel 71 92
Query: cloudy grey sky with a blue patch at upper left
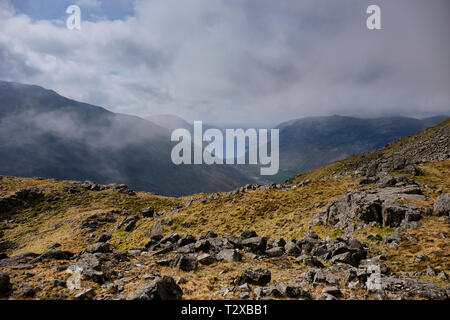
pixel 234 62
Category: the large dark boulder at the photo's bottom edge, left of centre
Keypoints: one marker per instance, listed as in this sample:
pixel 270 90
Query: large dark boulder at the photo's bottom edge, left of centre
pixel 163 288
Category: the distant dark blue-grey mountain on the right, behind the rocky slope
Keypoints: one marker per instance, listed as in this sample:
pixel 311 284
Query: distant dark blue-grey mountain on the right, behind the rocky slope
pixel 314 142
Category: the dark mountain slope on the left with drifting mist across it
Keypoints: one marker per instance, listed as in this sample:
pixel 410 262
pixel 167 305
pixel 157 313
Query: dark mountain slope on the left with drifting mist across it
pixel 47 135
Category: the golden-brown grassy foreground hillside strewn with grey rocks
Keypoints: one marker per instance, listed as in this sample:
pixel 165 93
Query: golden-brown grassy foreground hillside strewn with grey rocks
pixel 374 226
